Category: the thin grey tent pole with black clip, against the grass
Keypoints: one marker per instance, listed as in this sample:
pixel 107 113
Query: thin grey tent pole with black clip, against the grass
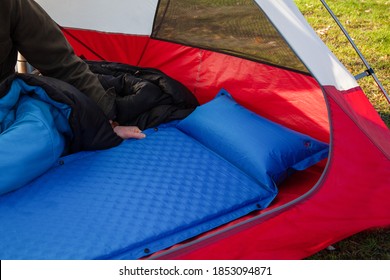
pixel 369 71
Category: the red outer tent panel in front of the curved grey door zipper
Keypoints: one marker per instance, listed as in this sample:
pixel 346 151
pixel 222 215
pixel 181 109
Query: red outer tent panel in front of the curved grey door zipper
pixel 352 196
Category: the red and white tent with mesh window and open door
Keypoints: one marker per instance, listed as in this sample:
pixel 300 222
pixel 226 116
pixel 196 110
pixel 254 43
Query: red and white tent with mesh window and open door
pixel 268 58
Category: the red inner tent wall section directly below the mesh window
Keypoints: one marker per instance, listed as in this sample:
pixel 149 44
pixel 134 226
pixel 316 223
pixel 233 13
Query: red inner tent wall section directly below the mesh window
pixel 292 99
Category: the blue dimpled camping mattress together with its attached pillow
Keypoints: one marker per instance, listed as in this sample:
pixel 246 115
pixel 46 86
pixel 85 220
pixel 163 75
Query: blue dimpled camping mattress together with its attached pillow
pixel 142 196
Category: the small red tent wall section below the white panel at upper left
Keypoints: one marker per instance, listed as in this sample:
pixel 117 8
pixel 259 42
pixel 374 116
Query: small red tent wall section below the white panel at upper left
pixel 94 45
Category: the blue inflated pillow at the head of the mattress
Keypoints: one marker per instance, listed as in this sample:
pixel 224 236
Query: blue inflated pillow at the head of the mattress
pixel 265 150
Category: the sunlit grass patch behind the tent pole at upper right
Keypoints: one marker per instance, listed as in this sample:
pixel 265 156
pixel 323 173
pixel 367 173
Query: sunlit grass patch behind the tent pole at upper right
pixel 367 23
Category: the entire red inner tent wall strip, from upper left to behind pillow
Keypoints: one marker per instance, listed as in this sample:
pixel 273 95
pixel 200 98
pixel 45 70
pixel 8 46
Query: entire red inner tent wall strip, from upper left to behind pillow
pixel 292 99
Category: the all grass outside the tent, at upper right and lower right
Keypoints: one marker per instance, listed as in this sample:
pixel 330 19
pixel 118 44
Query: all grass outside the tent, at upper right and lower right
pixel 367 23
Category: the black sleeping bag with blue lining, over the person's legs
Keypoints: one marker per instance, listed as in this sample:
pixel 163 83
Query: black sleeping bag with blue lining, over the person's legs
pixel 41 119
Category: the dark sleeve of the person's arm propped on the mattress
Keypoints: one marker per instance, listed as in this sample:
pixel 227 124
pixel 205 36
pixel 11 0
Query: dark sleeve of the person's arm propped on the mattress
pixel 41 42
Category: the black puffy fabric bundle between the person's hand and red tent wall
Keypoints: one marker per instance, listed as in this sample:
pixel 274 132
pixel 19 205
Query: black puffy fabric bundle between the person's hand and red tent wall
pixel 145 97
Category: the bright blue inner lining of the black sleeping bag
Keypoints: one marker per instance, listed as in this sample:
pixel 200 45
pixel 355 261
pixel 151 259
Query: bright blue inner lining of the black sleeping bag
pixel 33 133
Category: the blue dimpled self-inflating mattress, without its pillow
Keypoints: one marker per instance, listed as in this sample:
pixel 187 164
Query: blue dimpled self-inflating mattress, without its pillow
pixel 126 202
